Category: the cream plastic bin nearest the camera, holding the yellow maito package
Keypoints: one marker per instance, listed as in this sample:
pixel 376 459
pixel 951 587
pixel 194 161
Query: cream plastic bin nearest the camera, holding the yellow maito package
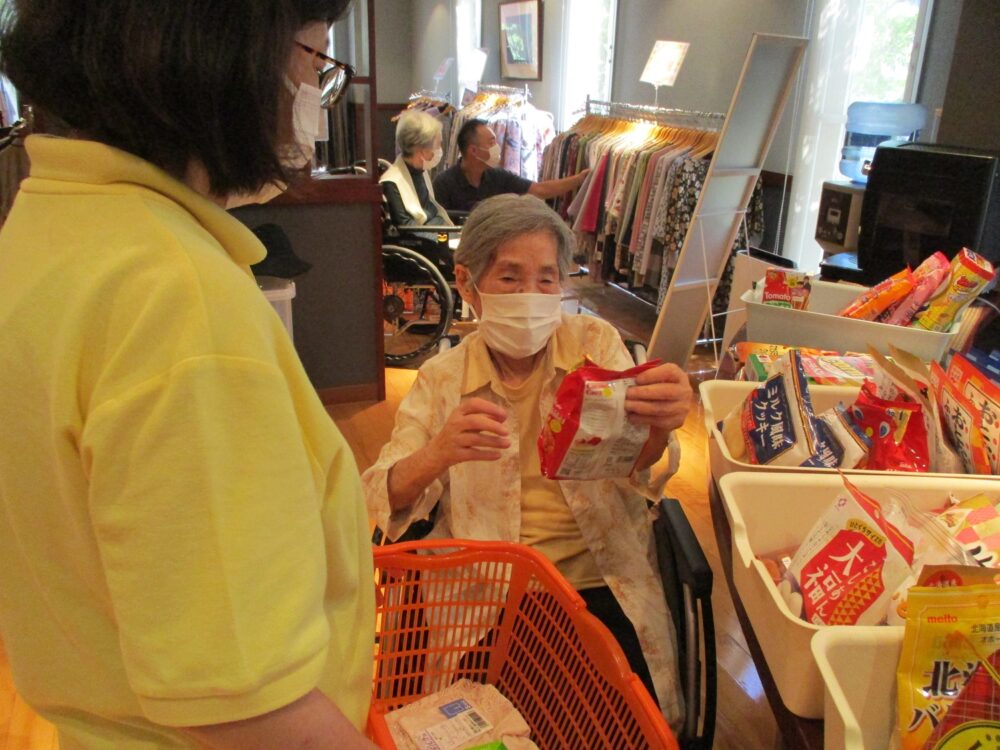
pixel 859 677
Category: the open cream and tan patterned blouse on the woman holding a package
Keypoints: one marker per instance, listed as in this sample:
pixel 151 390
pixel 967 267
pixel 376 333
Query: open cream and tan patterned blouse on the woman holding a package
pixel 481 500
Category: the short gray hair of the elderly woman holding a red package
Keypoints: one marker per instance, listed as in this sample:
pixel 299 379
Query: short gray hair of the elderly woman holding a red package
pixel 504 217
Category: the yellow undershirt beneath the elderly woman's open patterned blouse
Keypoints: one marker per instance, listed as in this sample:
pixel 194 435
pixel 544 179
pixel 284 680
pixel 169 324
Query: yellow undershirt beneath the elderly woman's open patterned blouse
pixel 547 523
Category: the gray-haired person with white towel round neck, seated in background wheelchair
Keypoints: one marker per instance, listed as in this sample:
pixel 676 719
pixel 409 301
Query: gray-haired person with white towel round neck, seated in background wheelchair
pixel 406 184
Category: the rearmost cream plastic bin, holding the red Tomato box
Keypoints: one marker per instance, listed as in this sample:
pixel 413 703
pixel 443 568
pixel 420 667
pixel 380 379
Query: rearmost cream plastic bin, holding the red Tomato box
pixel 820 327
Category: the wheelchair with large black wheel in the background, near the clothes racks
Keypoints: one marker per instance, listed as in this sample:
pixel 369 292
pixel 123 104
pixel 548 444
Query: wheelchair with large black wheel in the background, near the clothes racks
pixel 419 299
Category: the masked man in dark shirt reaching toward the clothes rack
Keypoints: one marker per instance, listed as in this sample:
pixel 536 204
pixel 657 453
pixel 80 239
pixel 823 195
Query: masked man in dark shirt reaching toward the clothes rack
pixel 478 176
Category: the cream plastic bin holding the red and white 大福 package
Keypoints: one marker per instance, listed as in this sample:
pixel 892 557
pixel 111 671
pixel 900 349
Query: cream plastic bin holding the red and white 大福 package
pixel 771 512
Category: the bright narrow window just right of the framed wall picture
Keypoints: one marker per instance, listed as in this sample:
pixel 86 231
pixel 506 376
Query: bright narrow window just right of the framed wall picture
pixel 588 56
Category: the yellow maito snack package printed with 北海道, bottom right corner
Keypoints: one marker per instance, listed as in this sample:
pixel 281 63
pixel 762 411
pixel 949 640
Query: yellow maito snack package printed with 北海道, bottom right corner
pixel 948 679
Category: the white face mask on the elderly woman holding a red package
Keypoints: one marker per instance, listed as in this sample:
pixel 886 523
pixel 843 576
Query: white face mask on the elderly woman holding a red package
pixel 519 325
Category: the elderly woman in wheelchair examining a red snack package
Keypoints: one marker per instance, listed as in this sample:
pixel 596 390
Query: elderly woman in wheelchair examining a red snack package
pixel 465 435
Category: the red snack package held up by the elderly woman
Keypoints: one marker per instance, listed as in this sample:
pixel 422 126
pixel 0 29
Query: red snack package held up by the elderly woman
pixel 587 434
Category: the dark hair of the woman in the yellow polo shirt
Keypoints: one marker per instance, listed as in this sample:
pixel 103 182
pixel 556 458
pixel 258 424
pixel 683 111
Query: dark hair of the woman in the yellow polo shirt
pixel 170 81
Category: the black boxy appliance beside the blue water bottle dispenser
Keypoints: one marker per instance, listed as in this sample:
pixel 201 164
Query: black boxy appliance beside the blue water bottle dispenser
pixel 922 198
